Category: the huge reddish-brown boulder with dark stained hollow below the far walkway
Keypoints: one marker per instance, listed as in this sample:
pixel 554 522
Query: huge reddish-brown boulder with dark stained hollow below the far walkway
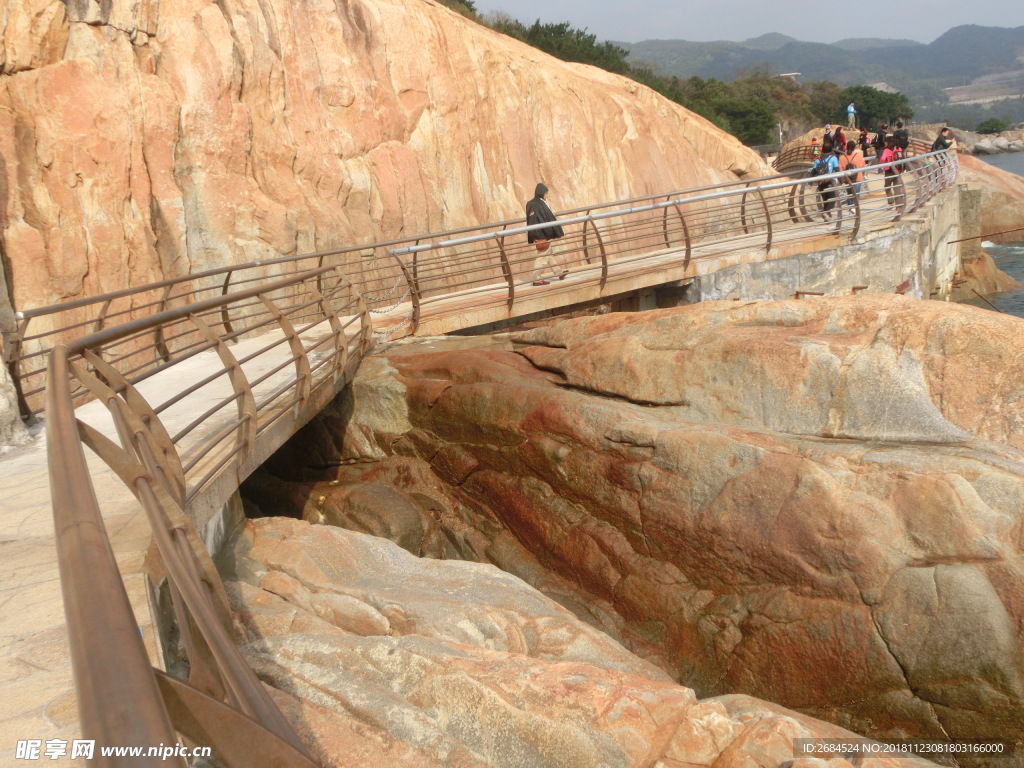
pixel 819 503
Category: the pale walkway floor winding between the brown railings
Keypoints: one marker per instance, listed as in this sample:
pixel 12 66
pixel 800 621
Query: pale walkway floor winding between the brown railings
pixel 37 700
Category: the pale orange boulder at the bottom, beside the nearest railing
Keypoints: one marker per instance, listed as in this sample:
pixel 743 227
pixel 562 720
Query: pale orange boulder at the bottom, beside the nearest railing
pixel 381 659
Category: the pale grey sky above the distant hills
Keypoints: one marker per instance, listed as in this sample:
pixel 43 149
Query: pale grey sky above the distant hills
pixel 633 21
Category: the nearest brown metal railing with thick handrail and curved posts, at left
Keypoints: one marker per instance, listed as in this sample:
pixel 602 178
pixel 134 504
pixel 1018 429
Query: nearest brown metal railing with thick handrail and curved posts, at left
pixel 305 337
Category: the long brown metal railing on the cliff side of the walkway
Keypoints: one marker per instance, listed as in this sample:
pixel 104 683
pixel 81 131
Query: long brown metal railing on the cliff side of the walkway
pixel 407 279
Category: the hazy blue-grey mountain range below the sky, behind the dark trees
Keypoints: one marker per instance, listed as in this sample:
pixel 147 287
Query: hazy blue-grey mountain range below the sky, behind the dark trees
pixel 958 57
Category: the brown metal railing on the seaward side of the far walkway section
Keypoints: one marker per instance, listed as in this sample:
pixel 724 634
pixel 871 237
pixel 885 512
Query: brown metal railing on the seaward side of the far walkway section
pixel 447 276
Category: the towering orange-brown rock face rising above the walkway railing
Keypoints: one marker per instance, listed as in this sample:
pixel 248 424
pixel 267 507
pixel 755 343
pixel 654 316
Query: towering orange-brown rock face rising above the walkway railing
pixel 148 140
